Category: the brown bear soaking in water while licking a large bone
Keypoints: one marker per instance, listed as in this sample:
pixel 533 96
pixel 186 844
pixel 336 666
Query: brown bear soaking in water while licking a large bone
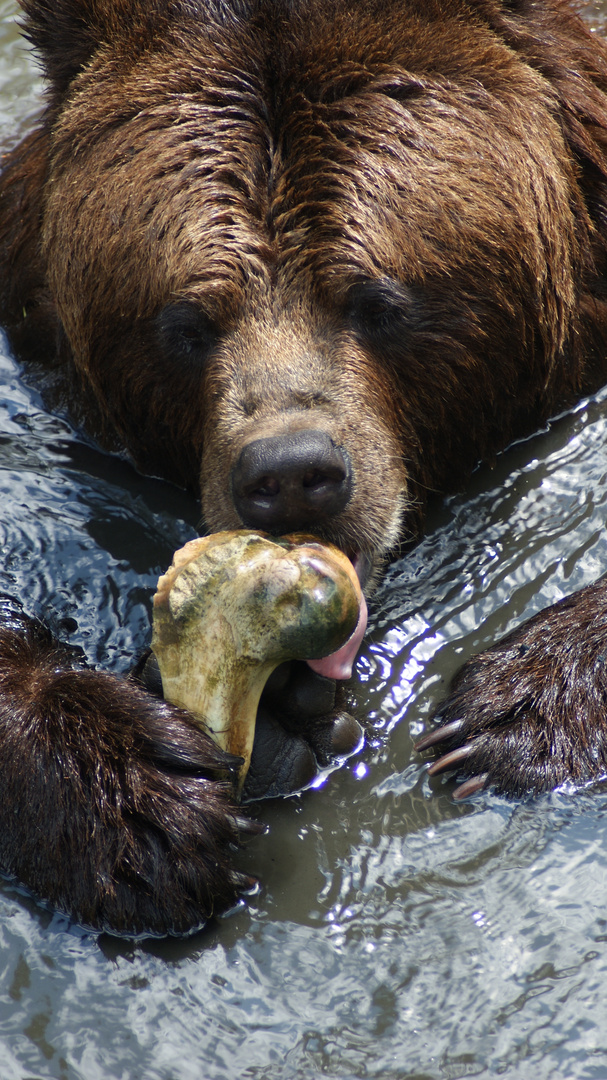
pixel 314 260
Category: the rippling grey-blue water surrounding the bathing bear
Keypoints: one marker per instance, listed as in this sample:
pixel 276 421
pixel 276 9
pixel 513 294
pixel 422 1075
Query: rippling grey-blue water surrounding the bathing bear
pixel 396 934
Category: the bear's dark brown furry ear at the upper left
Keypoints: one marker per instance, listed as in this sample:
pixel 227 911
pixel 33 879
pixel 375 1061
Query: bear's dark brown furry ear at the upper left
pixel 66 34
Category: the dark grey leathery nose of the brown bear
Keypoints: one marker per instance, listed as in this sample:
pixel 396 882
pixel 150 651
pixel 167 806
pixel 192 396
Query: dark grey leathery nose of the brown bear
pixel 291 482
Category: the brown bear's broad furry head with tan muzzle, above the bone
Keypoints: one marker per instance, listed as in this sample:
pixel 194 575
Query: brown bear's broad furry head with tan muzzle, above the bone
pixel 317 260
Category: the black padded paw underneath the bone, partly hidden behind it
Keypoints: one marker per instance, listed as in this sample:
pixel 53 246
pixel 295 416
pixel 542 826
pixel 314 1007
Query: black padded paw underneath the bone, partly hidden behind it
pixel 303 725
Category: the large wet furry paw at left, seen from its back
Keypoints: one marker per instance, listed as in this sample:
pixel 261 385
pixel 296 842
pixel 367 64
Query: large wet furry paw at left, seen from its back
pixel 116 808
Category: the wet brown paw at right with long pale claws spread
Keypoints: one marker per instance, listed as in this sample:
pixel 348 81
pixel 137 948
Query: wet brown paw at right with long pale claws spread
pixel 531 713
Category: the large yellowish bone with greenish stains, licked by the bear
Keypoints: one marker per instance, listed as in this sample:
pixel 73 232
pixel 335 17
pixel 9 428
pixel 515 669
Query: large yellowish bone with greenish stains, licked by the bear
pixel 236 605
